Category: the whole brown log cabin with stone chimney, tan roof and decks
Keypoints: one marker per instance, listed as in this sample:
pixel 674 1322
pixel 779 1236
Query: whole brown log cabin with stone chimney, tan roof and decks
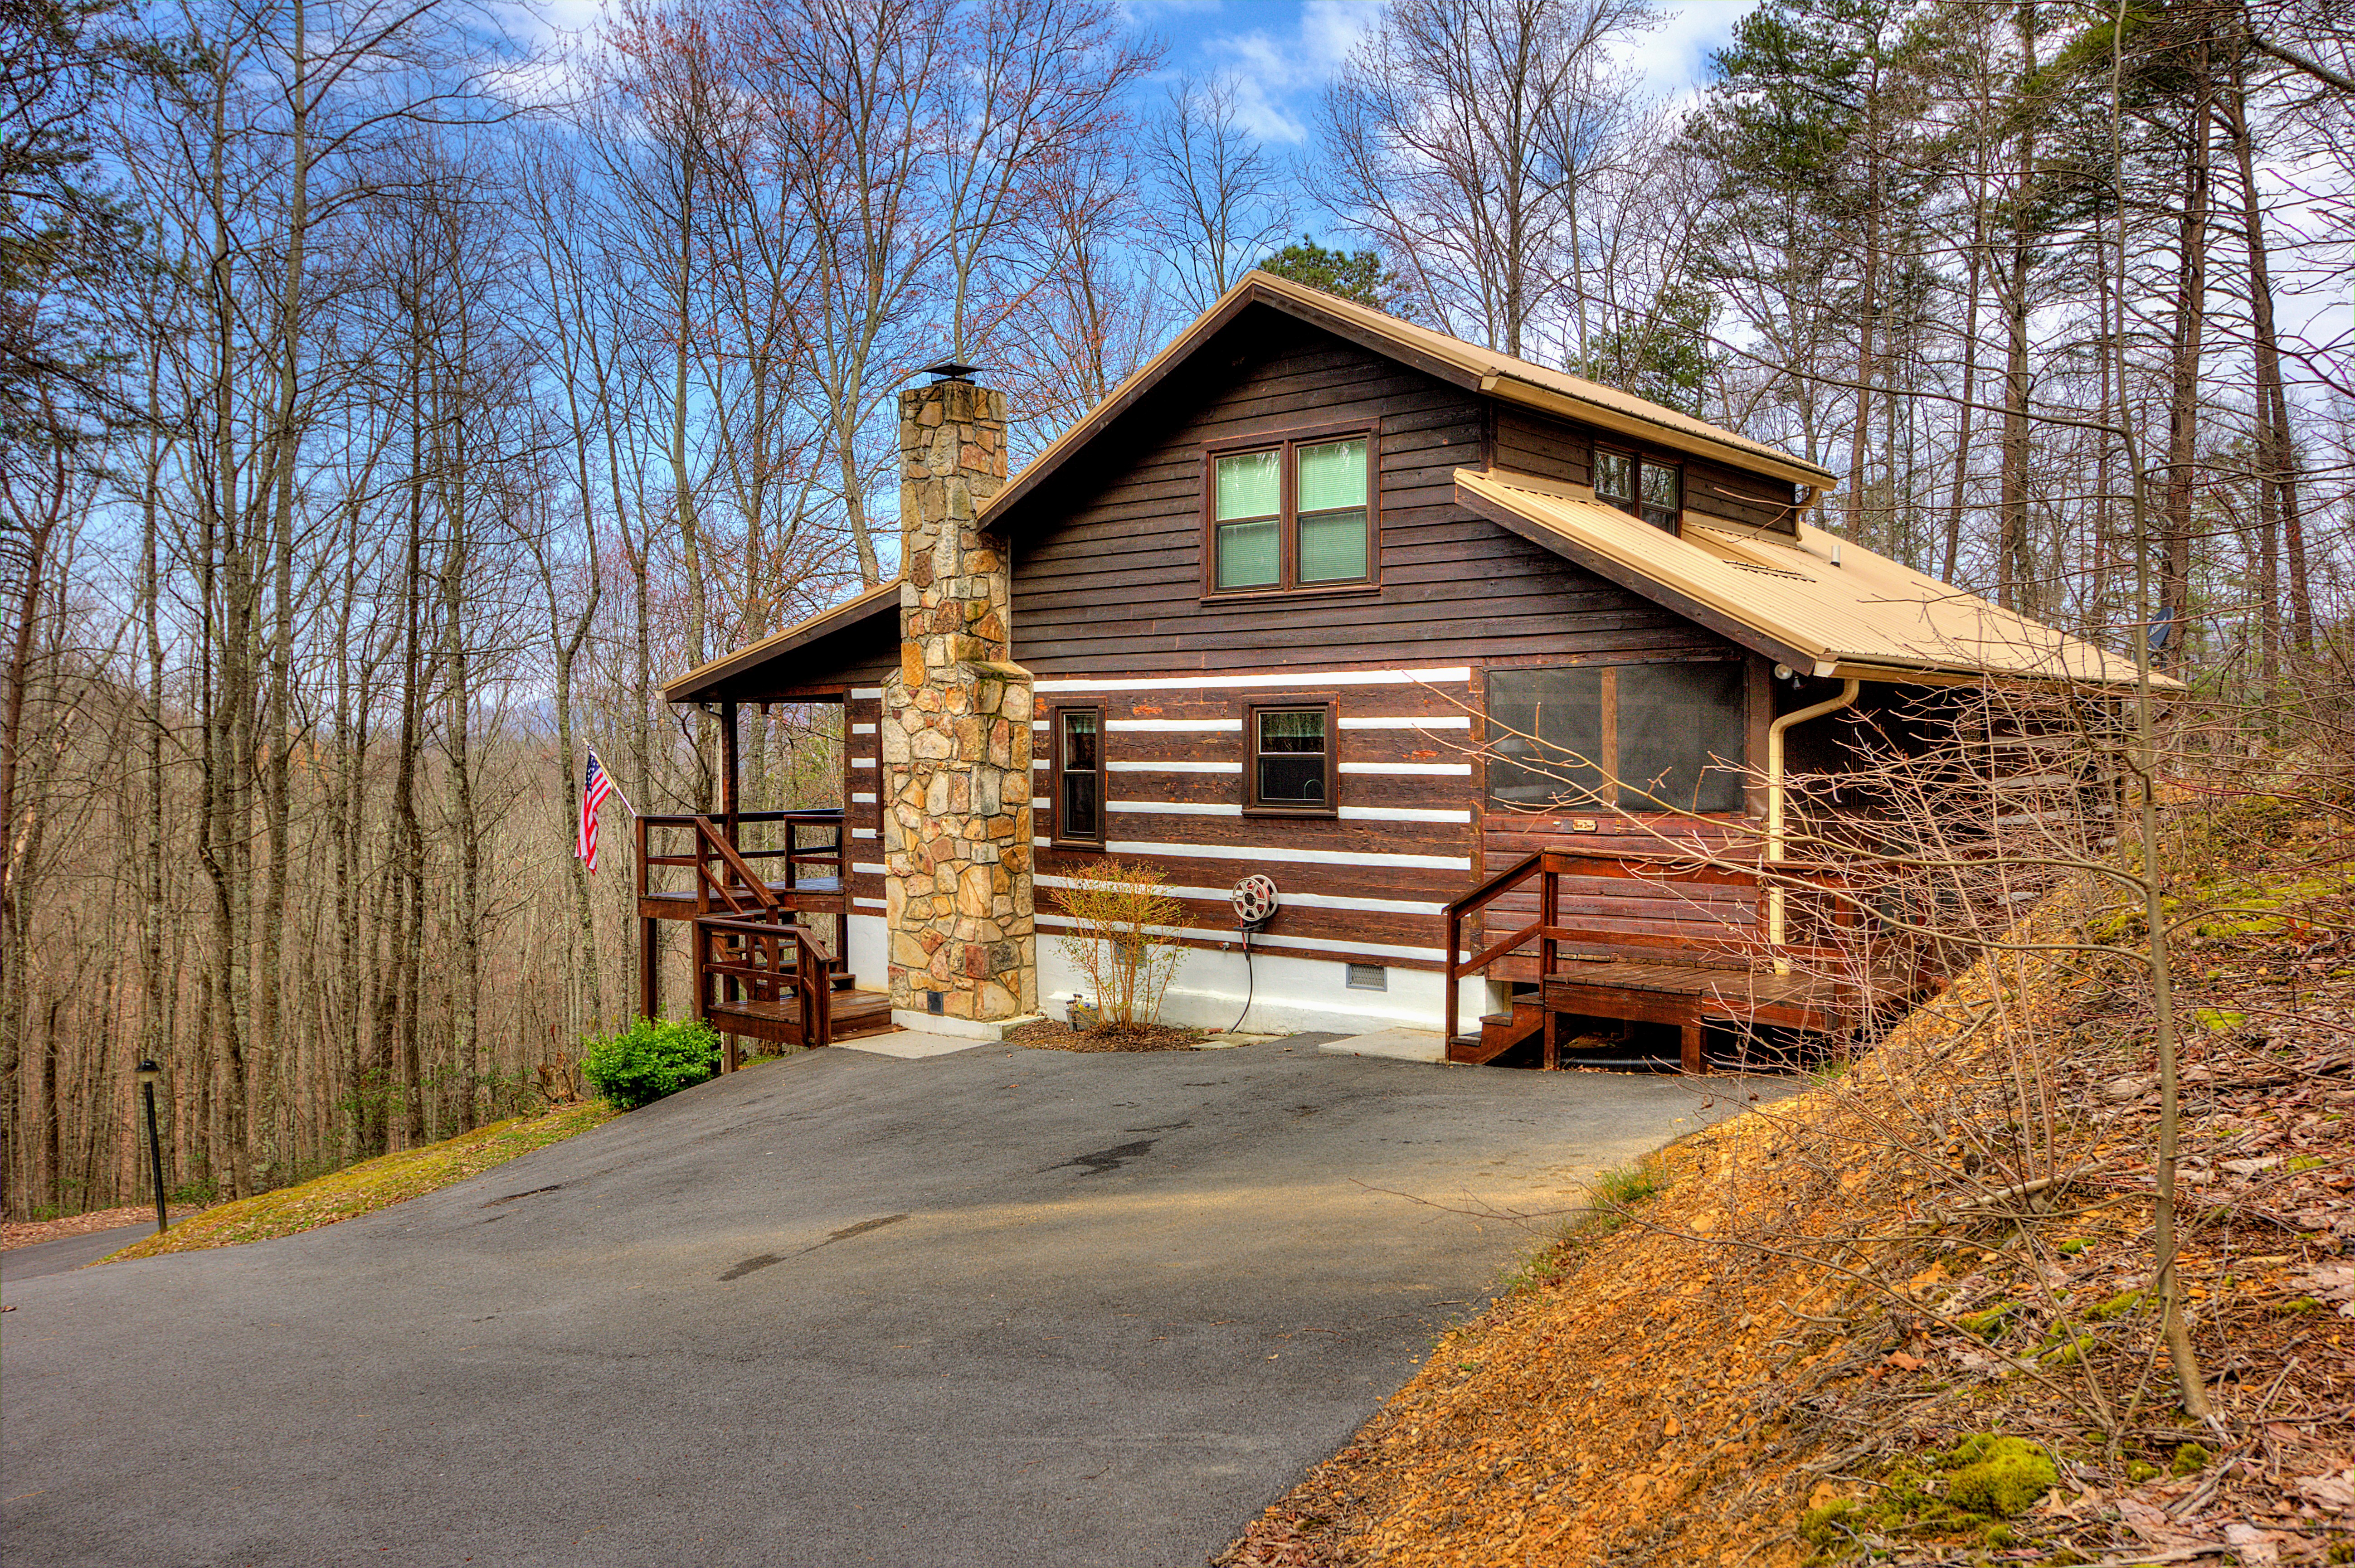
pixel 1490 670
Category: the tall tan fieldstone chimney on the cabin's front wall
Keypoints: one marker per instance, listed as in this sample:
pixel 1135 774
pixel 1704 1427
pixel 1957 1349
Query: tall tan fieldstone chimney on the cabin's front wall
pixel 957 733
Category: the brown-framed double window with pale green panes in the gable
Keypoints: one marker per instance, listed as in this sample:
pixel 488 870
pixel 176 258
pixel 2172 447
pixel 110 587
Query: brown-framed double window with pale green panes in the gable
pixel 1294 514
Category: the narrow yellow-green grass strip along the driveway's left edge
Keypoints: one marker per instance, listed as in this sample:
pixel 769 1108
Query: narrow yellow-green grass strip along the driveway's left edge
pixel 371 1185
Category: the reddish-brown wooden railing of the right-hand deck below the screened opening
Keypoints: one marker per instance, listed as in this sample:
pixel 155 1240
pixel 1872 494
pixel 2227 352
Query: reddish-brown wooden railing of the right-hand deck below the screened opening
pixel 1838 912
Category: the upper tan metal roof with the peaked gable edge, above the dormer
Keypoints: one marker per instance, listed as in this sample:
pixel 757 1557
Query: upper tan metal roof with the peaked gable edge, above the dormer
pixel 1450 359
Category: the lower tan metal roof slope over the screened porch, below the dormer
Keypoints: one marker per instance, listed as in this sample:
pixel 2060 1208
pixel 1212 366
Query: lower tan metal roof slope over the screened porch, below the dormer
pixel 1864 618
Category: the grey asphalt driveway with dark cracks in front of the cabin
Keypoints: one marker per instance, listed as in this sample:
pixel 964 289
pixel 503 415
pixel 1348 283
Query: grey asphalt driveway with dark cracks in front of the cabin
pixel 990 1308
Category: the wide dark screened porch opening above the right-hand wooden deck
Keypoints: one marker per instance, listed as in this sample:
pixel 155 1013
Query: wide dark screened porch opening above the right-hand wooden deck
pixel 1645 738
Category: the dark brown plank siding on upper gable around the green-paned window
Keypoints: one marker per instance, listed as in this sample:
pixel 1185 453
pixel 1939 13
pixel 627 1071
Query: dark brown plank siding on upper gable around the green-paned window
pixel 1108 566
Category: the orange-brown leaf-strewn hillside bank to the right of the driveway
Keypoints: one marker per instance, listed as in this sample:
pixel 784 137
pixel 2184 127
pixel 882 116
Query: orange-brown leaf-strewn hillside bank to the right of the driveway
pixel 1909 1315
